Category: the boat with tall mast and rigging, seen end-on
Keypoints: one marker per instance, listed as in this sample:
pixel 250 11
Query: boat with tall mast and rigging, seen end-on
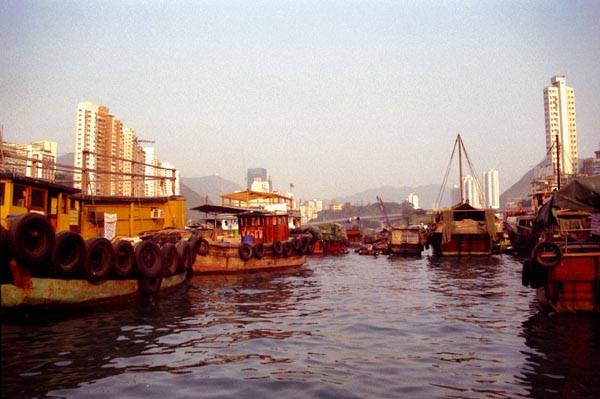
pixel 464 229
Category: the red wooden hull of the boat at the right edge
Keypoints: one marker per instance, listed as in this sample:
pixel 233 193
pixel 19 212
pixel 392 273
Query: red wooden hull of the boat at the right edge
pixel 573 285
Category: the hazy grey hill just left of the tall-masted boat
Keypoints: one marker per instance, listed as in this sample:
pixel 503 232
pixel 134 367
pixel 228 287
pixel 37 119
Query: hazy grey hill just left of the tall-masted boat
pixel 427 195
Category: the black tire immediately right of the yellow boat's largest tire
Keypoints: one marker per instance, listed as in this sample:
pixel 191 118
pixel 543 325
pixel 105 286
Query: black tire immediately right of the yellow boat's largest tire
pixel 69 254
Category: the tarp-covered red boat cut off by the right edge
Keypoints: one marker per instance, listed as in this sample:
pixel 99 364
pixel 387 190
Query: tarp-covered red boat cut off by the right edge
pixel 564 267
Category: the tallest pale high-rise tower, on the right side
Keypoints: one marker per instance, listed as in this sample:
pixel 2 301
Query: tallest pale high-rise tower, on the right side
pixel 561 127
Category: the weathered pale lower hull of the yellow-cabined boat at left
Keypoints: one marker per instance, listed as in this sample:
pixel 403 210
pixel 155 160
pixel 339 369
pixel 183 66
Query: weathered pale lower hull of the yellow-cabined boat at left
pixel 35 291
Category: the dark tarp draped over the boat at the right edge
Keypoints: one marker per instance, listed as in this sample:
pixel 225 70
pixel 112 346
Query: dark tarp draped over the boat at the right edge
pixel 582 194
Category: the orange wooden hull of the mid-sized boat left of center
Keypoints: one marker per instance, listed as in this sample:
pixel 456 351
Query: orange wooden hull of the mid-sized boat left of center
pixel 225 258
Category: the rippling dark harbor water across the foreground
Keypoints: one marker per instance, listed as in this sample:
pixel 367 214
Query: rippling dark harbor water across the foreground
pixel 338 327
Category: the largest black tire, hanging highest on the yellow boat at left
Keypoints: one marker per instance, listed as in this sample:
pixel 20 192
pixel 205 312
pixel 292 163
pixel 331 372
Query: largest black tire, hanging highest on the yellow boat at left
pixel 32 239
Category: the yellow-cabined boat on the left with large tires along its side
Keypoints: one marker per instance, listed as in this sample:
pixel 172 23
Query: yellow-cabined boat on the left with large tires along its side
pixel 49 258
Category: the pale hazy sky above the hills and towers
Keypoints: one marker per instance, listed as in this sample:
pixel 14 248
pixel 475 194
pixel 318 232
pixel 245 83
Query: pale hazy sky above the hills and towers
pixel 333 96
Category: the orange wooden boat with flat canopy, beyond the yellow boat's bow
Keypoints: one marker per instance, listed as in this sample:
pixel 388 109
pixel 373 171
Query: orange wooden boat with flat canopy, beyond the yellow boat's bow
pixel 262 242
